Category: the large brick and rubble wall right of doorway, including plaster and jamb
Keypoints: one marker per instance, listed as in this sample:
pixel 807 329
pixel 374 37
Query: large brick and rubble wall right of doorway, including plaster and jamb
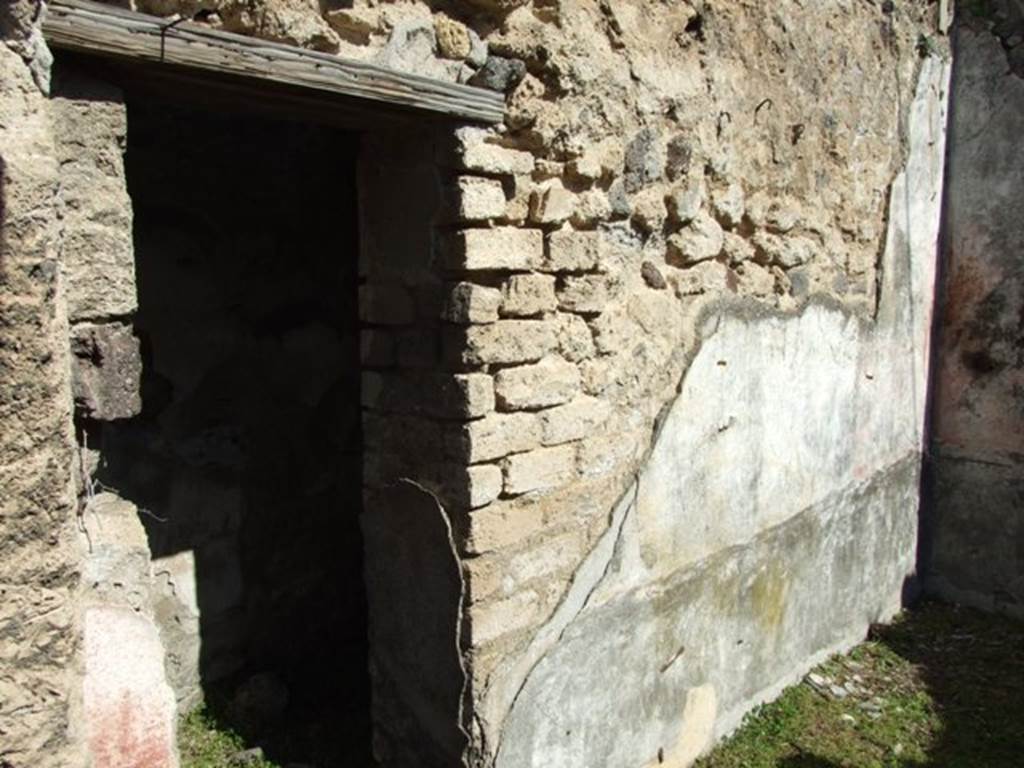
pixel 645 367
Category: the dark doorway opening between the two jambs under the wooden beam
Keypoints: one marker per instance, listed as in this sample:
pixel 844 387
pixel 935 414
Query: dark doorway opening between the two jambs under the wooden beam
pixel 246 460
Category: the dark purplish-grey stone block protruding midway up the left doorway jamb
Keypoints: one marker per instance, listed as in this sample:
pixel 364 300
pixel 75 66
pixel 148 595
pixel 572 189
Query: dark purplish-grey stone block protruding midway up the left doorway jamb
pixel 106 371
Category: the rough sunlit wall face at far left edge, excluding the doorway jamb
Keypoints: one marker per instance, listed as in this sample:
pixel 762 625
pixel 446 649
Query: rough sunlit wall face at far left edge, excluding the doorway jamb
pixel 39 571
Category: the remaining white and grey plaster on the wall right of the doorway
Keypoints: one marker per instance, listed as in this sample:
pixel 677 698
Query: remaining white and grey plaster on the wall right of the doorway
pixel 880 368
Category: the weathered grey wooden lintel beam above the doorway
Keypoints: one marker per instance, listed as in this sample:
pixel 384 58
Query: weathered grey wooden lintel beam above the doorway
pixel 109 31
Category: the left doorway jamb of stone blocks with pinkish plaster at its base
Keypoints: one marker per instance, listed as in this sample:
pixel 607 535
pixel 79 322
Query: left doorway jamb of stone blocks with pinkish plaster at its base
pixel 127 706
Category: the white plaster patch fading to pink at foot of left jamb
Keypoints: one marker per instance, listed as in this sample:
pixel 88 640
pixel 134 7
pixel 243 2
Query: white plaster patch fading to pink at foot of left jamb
pixel 130 707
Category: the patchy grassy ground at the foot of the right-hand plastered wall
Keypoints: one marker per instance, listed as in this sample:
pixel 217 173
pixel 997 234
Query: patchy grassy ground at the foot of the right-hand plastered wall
pixel 941 689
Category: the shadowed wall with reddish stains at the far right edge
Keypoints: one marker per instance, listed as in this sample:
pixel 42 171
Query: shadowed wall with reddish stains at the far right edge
pixel 976 542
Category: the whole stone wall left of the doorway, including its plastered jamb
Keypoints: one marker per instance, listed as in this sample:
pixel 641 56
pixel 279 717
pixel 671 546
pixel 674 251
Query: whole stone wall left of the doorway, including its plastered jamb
pixel 79 642
